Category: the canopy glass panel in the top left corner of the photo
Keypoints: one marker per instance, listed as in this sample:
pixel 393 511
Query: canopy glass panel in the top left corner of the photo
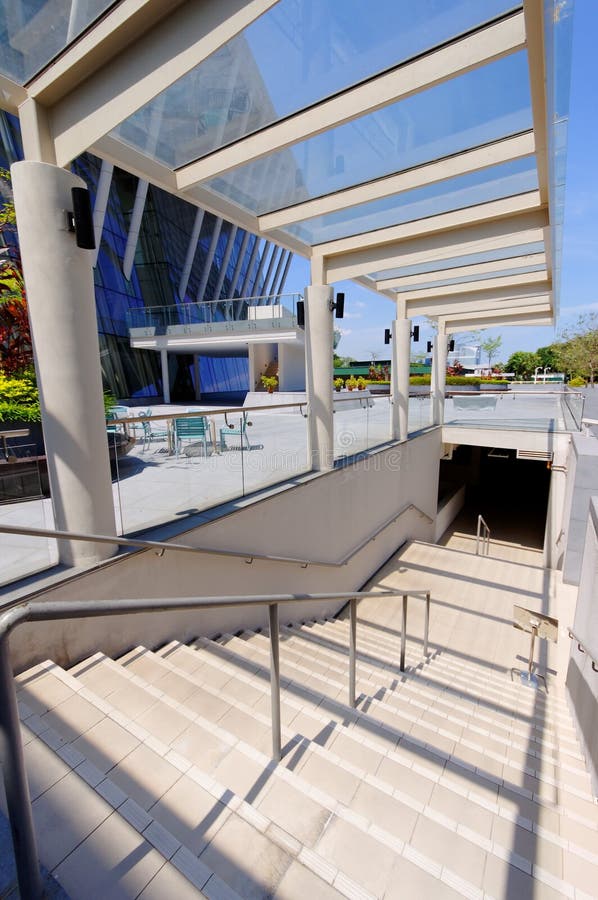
pixel 33 33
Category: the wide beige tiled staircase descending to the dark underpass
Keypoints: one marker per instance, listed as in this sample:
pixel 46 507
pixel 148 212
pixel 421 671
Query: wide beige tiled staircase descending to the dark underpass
pixel 151 775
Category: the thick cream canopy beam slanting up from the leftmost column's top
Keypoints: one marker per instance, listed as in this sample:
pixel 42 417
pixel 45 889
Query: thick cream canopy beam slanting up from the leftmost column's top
pixel 127 74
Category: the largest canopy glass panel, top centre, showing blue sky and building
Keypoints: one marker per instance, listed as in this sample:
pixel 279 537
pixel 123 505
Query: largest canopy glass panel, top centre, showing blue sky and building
pixel 321 48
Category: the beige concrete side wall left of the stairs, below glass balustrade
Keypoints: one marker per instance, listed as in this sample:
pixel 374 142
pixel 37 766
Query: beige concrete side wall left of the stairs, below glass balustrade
pixel 323 519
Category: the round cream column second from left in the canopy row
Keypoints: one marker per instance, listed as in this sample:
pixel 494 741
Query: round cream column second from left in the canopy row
pixel 319 372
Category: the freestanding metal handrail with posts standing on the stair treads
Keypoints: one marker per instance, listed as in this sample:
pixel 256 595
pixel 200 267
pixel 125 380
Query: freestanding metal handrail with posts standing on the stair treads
pixel 13 764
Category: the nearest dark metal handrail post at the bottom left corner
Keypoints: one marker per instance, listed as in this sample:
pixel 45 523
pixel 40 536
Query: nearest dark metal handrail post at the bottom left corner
pixel 18 800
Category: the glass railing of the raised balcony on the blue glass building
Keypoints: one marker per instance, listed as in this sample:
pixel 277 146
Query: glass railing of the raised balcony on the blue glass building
pixel 278 309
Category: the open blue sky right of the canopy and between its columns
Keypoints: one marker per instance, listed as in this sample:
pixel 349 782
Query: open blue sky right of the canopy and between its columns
pixel 367 315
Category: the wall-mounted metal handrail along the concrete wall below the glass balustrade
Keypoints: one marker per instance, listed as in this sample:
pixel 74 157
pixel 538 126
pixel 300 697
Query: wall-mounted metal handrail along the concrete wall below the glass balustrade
pixel 161 546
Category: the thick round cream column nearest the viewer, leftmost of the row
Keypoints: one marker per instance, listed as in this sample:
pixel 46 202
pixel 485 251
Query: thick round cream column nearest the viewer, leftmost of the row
pixel 61 302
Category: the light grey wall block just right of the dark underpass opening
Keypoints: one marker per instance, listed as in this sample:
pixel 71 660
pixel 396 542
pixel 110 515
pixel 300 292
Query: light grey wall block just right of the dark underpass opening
pixel 582 483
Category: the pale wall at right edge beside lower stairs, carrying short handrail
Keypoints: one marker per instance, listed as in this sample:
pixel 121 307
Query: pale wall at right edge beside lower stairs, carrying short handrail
pixel 582 680
